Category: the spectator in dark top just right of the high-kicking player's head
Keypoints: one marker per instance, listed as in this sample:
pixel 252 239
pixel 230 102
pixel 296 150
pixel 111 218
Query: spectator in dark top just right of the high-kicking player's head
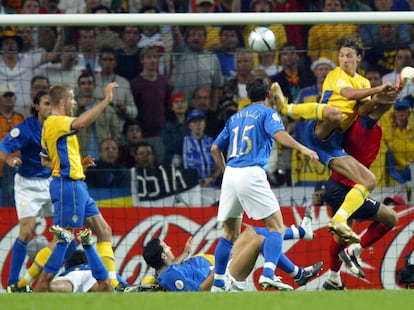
pixel 382 54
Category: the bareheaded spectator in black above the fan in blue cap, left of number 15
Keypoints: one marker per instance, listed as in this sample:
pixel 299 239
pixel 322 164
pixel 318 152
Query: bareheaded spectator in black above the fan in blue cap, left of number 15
pixel 201 101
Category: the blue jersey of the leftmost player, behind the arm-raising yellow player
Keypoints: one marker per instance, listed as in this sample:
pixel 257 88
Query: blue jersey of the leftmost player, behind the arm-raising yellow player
pixel 26 138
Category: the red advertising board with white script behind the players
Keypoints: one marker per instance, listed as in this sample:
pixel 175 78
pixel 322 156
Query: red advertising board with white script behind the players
pixel 133 227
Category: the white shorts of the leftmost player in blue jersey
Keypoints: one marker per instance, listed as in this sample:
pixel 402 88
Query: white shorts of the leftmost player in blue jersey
pixel 32 197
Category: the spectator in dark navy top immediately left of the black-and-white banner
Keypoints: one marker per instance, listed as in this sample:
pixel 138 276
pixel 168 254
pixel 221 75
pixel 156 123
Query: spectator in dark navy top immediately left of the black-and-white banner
pixel 108 172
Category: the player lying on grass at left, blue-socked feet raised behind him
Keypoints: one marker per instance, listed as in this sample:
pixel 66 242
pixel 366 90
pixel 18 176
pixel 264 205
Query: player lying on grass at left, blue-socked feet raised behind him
pixel 85 271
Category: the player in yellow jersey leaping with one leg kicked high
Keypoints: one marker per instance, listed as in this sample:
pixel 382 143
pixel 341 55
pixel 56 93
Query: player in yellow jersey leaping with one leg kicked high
pixel 345 94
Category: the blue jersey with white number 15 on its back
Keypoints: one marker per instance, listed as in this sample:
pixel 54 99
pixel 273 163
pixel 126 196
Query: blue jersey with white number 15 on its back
pixel 248 134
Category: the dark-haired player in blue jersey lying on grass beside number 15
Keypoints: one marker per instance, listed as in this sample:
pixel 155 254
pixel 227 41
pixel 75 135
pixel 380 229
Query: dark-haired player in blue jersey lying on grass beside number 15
pixel 197 272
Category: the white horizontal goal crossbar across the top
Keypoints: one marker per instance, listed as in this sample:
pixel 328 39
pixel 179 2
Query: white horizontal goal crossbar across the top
pixel 182 19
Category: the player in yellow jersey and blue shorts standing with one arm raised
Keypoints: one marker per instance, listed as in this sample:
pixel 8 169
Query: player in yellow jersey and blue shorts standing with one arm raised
pixel 74 208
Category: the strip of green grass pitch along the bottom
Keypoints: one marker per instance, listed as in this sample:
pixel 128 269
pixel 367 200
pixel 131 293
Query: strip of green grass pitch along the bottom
pixel 321 300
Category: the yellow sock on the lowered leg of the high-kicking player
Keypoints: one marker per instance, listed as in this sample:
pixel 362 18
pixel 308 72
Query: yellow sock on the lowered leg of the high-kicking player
pixel 352 202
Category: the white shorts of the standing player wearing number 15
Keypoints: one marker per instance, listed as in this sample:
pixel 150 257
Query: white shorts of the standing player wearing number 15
pixel 246 189
